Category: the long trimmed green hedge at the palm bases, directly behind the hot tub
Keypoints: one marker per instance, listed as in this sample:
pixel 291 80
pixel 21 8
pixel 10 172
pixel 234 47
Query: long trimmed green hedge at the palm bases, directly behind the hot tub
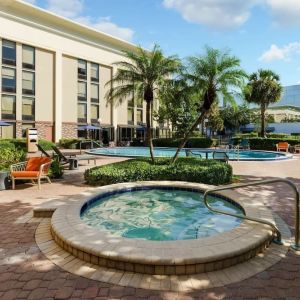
pixel 185 169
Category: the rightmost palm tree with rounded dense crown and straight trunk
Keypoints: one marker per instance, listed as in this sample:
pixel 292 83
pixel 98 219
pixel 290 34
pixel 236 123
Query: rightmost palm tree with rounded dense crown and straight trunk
pixel 263 89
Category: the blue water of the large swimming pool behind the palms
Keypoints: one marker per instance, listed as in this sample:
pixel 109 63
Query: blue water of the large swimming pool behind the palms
pixel 169 152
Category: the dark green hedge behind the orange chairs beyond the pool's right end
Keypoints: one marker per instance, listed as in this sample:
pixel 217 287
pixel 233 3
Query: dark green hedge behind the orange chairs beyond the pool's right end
pixel 269 143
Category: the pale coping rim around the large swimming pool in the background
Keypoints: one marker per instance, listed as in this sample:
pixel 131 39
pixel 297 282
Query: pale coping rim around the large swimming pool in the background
pixel 284 155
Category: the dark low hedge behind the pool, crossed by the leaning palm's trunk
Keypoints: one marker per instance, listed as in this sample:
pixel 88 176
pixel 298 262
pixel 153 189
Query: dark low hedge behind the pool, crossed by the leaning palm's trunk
pixel 193 142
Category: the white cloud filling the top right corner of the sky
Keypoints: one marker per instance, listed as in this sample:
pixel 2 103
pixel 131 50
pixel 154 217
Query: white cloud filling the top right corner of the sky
pixel 285 12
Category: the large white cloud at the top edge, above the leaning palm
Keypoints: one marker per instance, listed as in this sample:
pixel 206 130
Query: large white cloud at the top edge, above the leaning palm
pixel 213 13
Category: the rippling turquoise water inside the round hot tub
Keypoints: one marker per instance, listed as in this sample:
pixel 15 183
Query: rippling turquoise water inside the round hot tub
pixel 160 215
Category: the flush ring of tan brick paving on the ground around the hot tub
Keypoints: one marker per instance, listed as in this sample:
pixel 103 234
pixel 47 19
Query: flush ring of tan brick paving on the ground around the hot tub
pixel 176 283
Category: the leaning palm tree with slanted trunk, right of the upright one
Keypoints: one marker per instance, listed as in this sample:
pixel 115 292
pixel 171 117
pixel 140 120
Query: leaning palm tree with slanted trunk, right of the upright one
pixel 214 74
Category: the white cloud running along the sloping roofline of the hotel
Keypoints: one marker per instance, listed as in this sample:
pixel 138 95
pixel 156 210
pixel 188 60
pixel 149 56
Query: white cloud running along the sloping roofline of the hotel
pixel 74 9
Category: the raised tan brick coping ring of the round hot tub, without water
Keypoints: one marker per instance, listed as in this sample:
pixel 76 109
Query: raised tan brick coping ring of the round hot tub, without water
pixel 161 257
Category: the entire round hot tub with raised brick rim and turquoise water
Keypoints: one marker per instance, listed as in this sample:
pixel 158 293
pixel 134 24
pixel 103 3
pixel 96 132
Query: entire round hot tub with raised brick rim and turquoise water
pixel 160 228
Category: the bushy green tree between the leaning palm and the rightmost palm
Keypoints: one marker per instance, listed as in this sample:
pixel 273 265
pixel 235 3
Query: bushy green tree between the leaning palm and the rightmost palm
pixel 234 117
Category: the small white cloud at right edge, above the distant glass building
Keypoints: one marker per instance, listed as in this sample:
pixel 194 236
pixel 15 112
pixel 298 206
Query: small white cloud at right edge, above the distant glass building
pixel 280 53
